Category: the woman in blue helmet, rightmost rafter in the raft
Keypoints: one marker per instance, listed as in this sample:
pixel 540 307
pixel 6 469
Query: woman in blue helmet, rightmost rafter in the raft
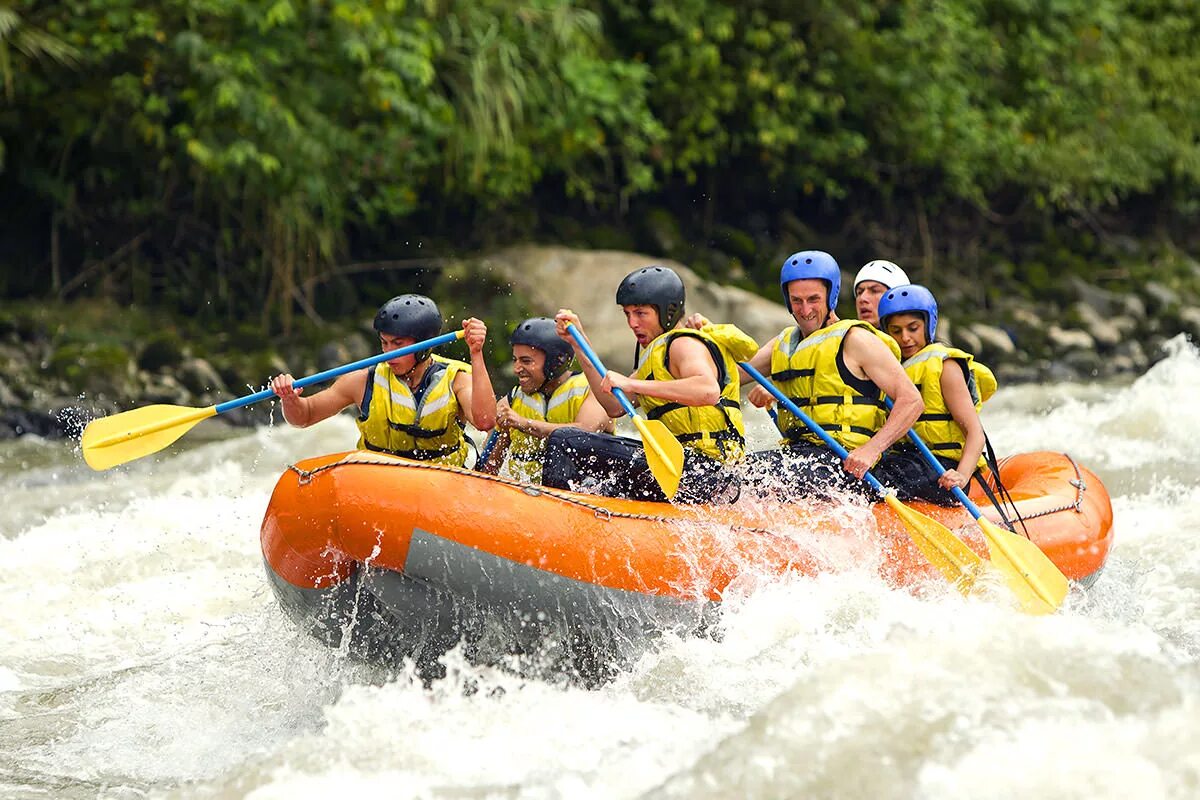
pixel 950 424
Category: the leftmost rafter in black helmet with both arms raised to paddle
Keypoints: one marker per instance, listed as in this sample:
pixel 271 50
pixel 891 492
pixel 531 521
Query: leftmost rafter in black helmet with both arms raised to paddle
pixel 415 406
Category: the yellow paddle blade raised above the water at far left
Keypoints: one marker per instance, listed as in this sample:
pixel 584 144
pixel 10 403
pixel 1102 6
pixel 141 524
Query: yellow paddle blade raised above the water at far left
pixel 117 440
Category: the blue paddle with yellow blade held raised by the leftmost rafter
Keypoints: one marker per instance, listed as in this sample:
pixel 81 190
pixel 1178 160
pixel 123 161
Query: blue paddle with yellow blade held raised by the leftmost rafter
pixel 124 437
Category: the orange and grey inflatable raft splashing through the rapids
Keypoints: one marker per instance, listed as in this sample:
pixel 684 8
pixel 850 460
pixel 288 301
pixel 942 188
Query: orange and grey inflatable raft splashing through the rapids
pixel 395 560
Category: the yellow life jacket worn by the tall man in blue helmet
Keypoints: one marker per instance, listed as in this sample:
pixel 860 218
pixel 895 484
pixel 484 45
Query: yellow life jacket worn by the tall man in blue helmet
pixel 809 372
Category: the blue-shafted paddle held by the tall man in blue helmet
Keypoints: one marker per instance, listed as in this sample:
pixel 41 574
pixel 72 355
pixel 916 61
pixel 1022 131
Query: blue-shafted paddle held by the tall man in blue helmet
pixel 944 550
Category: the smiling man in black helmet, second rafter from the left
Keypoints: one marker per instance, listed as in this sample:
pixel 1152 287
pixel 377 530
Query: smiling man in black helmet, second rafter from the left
pixel 548 398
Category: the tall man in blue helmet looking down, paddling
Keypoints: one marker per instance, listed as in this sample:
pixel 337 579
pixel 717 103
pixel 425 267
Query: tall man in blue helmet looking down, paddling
pixel 838 372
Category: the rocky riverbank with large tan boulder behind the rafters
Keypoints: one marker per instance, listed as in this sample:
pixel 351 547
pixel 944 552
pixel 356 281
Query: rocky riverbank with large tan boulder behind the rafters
pixel 62 366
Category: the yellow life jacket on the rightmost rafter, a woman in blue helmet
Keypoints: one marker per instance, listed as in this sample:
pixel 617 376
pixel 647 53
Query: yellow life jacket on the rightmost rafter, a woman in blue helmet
pixel 935 426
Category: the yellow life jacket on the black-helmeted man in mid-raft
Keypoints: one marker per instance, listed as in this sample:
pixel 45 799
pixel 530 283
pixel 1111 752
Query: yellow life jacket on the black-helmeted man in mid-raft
pixel 716 431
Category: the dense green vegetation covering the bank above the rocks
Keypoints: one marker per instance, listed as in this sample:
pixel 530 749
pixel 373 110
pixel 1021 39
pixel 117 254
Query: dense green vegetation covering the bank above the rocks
pixel 229 159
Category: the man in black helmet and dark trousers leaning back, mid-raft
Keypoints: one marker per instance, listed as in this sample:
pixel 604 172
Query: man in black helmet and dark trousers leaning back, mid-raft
pixel 687 378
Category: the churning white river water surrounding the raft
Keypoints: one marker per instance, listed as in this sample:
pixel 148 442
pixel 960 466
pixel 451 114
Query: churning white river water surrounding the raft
pixel 142 653
